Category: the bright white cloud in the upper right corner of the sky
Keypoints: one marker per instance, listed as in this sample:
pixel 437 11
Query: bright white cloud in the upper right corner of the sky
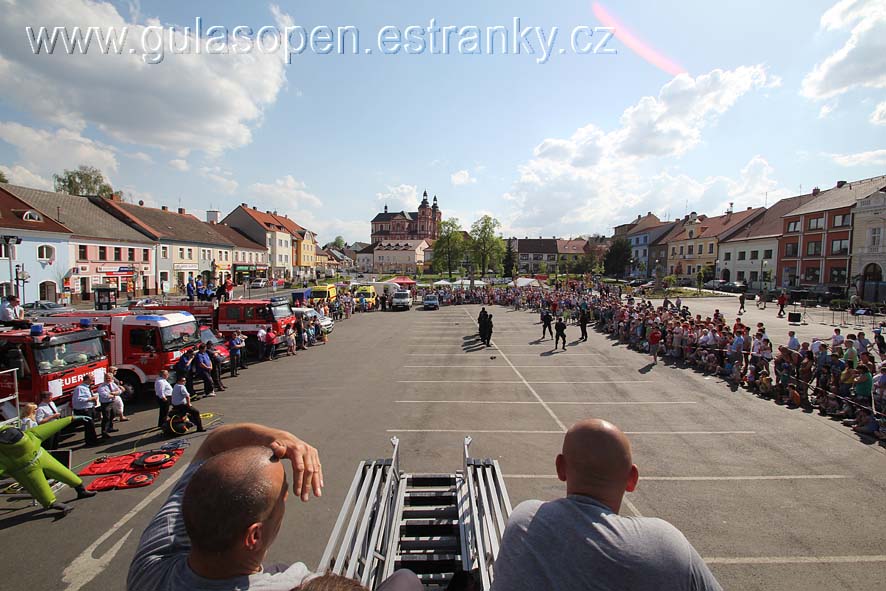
pixel 861 61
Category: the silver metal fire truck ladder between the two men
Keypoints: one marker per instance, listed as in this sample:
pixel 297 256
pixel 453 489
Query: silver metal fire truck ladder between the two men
pixel 432 524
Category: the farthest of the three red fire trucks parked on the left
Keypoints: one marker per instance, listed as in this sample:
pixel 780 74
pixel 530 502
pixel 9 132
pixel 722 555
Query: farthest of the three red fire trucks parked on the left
pixel 243 315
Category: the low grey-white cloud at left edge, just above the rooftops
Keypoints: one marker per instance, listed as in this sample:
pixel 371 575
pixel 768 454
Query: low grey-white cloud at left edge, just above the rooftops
pixel 45 153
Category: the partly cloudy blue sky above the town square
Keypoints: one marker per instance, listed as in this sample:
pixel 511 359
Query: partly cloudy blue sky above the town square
pixel 690 106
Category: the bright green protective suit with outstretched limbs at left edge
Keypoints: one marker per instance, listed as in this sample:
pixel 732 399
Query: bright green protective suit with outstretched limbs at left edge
pixel 22 458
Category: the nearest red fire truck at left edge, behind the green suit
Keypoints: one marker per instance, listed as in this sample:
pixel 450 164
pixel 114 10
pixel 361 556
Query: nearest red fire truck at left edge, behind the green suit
pixel 51 358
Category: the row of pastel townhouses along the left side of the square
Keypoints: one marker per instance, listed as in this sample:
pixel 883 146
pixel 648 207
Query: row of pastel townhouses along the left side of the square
pixel 59 245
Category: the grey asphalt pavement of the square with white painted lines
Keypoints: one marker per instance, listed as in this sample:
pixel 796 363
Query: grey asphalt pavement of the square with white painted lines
pixel 772 498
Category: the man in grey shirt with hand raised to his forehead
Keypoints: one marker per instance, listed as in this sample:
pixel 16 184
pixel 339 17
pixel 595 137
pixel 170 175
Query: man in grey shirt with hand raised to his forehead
pixel 224 514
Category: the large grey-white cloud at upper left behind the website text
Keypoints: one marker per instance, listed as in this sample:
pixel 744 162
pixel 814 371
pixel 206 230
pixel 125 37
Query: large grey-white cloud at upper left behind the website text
pixel 188 102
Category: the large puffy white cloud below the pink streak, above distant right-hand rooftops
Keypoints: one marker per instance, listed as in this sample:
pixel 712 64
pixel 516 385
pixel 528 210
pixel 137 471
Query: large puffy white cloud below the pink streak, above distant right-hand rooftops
pixel 595 179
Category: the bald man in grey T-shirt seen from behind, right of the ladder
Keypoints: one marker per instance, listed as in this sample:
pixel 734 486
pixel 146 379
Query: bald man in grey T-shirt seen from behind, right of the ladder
pixel 581 542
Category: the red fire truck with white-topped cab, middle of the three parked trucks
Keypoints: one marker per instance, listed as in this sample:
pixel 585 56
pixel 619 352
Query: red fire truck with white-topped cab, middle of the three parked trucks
pixel 140 345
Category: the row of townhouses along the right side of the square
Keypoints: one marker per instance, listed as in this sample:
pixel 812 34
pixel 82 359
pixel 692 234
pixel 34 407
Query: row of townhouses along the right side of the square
pixel 829 238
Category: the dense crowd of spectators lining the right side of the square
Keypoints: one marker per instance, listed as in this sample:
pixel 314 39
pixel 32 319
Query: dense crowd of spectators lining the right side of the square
pixel 843 376
